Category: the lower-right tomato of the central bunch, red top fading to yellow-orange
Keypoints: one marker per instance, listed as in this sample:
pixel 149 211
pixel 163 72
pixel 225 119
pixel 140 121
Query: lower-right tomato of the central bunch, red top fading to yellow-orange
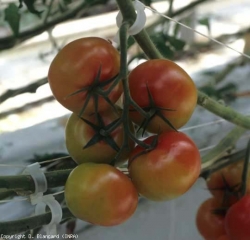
pixel 168 170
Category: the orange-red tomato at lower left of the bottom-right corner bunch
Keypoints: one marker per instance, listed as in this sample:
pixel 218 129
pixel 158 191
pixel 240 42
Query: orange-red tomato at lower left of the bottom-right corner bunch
pixel 210 226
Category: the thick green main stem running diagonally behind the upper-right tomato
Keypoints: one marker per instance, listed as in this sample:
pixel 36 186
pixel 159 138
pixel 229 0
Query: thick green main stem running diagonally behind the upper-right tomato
pixel 152 52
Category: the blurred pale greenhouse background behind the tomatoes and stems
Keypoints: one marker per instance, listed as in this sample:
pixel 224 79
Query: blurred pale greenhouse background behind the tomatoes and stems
pixel 32 123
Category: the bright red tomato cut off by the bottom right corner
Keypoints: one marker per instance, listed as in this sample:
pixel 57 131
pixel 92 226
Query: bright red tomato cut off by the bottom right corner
pixel 237 220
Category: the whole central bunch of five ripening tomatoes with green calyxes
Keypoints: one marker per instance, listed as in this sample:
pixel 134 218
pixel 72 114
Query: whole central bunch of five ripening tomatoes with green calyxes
pixel 100 135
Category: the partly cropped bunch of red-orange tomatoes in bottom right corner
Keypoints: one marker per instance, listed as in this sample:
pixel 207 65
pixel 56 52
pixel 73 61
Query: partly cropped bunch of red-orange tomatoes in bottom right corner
pixel 226 215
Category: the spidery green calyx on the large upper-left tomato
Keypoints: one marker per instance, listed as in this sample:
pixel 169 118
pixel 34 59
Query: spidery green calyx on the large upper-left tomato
pixel 94 91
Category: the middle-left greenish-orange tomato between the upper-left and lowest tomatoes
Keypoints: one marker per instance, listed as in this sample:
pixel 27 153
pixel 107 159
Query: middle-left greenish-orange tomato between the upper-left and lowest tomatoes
pixel 78 133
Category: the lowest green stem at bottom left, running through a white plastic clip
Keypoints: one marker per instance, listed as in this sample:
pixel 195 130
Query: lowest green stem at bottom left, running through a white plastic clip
pixel 22 225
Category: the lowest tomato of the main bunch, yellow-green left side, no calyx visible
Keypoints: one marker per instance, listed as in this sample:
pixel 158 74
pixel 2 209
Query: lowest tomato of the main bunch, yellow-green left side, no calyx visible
pixel 100 194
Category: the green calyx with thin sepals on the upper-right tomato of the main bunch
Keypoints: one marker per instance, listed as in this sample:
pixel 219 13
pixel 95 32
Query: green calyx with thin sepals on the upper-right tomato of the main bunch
pixel 152 111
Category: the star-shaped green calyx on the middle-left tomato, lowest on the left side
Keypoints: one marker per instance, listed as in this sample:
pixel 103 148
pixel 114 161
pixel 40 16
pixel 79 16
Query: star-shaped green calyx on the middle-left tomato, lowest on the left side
pixel 101 133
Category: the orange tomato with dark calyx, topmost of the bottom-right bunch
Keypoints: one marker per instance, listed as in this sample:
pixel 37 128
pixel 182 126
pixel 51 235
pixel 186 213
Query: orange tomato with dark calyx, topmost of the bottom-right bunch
pixel 227 177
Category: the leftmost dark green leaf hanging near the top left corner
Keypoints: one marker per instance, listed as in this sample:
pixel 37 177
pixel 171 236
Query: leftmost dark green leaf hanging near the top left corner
pixel 12 16
